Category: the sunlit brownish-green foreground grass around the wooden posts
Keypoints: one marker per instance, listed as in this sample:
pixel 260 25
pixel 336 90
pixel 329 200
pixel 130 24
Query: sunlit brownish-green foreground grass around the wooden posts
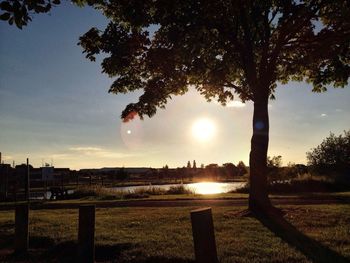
pixel 164 235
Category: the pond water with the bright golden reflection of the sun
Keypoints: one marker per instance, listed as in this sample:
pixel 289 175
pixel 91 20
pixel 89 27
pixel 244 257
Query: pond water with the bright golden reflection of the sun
pixel 198 188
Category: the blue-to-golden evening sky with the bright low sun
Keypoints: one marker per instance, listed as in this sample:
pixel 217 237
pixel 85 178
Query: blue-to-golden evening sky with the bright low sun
pixel 55 108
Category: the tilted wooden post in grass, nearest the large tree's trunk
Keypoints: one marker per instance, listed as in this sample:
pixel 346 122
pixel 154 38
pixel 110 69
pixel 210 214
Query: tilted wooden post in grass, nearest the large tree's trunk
pixel 203 236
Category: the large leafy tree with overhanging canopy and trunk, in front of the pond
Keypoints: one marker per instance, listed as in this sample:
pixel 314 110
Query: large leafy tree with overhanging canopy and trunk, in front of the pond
pixel 222 49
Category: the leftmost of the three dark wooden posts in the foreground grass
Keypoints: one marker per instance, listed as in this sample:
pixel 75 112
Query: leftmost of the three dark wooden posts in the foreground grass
pixel 21 228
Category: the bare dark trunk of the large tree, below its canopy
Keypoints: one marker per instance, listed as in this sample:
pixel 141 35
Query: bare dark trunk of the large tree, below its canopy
pixel 258 196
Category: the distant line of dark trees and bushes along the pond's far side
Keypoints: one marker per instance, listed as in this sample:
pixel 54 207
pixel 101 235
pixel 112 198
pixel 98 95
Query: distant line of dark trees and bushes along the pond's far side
pixel 331 159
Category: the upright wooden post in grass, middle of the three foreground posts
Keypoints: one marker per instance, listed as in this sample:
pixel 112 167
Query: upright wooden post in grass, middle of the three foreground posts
pixel 86 234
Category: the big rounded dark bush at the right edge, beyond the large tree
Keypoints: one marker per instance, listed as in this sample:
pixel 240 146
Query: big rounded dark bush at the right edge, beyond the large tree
pixel 332 155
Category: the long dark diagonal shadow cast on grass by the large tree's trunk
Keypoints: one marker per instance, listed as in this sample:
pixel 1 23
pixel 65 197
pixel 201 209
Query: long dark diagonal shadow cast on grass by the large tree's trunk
pixel 313 250
